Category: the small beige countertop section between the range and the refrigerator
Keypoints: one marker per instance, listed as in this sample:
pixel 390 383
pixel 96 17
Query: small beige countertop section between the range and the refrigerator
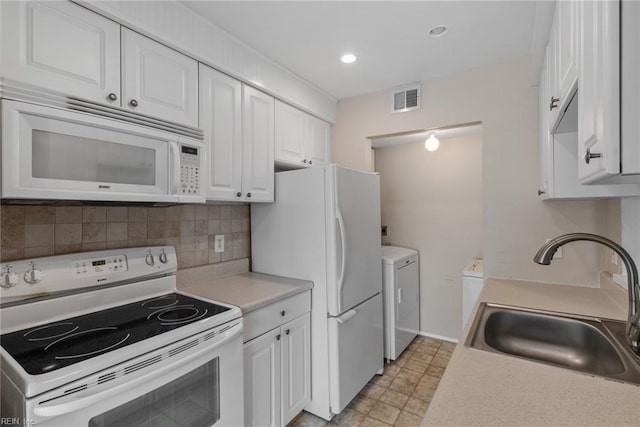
pixel 248 291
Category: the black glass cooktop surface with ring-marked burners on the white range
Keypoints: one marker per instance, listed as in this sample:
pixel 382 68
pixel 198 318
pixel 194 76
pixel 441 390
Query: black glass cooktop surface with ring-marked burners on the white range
pixel 53 346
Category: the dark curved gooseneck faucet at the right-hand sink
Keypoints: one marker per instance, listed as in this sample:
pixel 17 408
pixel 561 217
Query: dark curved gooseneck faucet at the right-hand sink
pixel 546 252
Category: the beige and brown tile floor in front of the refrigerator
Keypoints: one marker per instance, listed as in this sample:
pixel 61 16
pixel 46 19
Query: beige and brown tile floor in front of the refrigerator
pixel 401 396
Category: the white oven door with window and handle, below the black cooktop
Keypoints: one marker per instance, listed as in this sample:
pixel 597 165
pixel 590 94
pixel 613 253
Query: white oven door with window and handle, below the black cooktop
pixel 196 382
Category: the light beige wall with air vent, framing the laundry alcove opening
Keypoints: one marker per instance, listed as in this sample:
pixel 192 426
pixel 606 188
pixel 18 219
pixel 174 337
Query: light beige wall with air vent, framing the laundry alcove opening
pixel 515 221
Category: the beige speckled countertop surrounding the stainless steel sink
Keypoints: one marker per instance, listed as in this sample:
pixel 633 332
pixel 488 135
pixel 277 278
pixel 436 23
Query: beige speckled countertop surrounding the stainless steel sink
pixel 486 389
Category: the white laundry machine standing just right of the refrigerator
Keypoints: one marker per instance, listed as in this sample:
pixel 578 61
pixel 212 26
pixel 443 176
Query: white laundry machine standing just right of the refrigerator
pixel 400 288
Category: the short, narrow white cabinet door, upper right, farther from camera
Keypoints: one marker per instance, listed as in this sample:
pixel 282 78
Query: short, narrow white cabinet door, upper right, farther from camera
pixel 567 46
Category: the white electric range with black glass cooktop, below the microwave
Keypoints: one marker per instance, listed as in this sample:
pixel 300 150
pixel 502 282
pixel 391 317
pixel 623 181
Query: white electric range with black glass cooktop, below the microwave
pixel 105 339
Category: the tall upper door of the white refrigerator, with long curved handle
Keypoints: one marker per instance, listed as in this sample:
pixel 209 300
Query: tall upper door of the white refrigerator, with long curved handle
pixel 357 241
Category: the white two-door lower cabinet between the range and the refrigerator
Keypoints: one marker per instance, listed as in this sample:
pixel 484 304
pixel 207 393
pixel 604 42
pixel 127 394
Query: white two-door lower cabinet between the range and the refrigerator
pixel 277 368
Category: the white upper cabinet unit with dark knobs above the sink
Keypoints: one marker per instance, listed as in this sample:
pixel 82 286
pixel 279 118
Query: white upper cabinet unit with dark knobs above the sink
pixel 588 118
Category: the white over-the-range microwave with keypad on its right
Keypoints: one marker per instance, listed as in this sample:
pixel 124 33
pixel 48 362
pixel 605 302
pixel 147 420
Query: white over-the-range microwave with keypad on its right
pixel 54 154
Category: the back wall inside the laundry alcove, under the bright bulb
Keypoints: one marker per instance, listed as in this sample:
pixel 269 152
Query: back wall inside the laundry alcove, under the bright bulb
pixel 432 202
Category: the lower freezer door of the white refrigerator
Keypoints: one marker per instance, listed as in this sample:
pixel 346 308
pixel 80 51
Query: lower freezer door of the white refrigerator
pixel 355 351
